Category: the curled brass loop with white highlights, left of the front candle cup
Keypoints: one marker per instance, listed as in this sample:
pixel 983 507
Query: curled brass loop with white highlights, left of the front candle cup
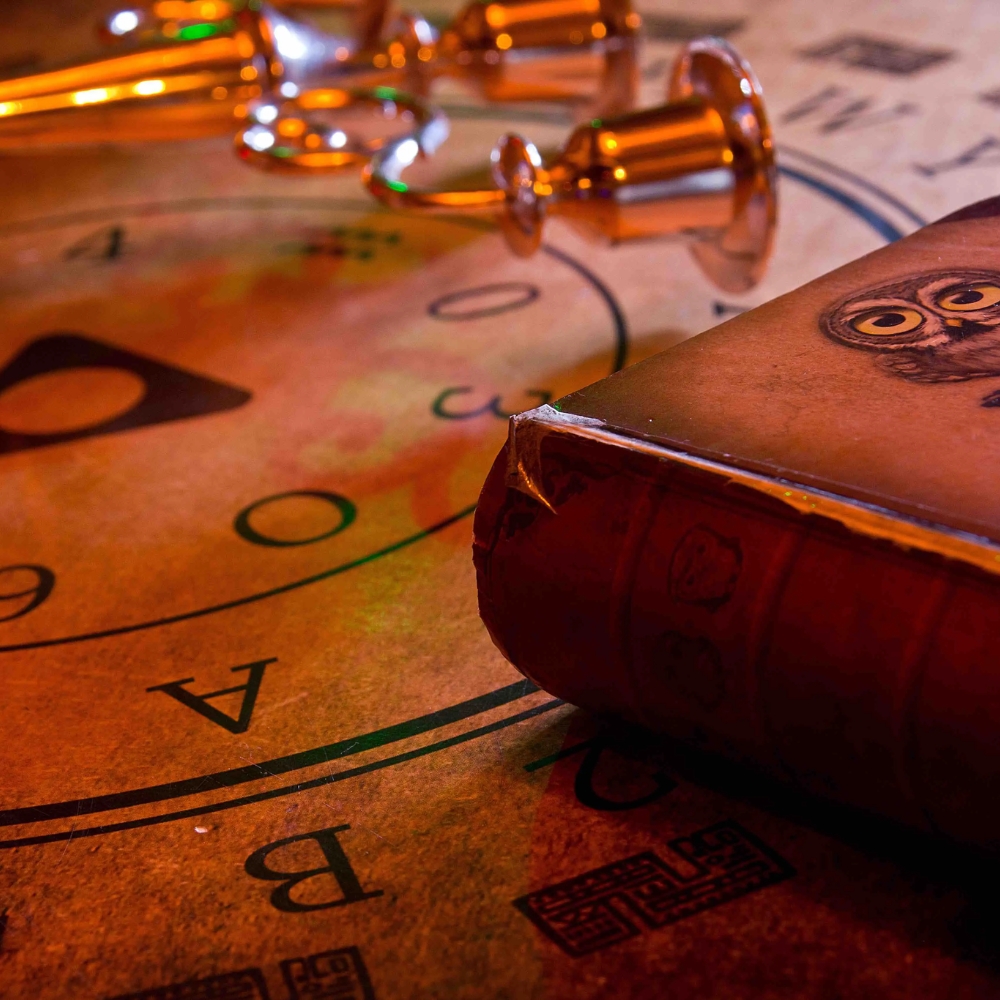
pixel 285 135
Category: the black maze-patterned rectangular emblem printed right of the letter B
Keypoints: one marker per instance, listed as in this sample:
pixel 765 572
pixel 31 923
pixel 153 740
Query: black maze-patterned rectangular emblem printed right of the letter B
pixel 616 902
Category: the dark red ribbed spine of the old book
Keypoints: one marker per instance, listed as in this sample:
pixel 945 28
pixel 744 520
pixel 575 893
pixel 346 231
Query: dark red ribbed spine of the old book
pixel 672 597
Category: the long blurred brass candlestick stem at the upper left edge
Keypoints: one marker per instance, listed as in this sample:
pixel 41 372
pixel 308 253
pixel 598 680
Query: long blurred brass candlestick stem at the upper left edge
pixel 199 81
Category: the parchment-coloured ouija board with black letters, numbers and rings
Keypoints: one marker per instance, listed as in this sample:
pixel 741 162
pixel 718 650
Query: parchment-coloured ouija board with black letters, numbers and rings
pixel 256 741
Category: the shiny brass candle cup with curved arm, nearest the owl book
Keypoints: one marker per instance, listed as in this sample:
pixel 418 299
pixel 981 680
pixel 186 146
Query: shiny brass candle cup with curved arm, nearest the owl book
pixel 701 166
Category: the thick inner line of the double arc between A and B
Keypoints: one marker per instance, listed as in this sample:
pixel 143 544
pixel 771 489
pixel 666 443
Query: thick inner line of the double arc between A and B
pixel 271 768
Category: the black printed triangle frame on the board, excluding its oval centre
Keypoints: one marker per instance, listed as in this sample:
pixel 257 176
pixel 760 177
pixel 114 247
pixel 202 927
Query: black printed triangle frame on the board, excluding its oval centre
pixel 171 393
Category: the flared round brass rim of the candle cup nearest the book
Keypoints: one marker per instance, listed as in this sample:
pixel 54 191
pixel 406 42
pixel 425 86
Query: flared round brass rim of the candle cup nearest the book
pixel 711 70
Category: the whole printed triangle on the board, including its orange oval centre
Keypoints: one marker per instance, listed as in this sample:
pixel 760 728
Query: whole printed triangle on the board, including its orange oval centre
pixel 66 387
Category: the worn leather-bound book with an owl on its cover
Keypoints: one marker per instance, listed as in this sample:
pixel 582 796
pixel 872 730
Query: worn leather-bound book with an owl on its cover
pixel 780 540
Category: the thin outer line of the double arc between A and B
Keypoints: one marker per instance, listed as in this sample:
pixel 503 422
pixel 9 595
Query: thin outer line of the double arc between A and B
pixel 274 793
